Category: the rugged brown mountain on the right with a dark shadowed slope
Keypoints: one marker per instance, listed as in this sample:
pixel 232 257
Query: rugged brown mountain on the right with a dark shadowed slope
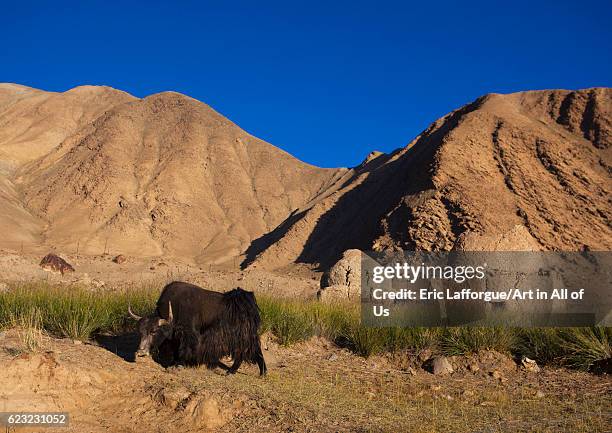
pixel 538 159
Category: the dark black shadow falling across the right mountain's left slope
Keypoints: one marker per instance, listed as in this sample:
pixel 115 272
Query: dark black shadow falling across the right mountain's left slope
pixel 394 185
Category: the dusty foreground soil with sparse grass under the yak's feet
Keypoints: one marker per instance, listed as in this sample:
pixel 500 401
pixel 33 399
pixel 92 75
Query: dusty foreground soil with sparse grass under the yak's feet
pixel 311 387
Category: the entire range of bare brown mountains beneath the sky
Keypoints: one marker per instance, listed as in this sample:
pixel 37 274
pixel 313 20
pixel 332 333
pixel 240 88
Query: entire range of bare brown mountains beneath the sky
pixel 98 170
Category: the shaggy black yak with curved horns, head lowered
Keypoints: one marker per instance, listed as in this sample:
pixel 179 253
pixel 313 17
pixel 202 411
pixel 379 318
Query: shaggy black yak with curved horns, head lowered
pixel 203 326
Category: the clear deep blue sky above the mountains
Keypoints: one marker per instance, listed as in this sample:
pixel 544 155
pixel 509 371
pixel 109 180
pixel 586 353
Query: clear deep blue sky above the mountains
pixel 326 81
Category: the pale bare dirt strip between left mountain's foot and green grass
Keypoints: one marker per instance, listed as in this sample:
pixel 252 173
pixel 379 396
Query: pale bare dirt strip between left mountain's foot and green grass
pixel 99 272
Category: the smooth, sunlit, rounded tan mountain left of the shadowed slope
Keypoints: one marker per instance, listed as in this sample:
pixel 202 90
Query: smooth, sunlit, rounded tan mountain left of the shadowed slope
pixel 161 175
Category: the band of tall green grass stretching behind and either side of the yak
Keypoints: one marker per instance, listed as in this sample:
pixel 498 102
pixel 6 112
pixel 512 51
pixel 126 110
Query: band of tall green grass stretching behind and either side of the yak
pixel 75 312
